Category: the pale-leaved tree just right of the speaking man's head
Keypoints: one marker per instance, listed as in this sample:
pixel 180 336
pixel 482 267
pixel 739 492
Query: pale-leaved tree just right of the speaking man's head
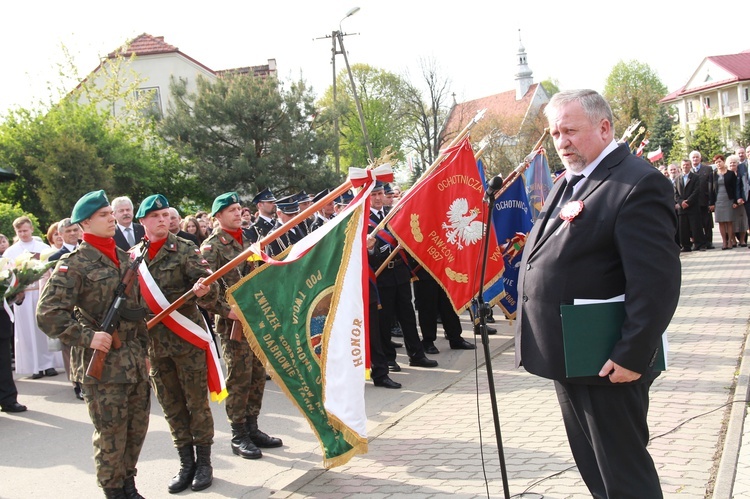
pixel 633 90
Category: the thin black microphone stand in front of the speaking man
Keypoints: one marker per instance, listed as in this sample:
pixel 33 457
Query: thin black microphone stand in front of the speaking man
pixel 483 311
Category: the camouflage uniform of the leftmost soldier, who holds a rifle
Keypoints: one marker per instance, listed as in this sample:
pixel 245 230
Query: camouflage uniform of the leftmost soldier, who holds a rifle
pixel 82 286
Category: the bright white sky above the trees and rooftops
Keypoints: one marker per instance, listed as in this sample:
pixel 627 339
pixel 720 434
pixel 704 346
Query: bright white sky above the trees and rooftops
pixel 474 42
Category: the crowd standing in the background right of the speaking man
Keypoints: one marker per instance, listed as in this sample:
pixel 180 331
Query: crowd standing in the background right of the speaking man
pixel 705 195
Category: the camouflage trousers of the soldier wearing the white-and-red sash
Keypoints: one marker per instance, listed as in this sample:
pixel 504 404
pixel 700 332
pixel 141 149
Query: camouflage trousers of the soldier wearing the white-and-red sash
pixel 181 386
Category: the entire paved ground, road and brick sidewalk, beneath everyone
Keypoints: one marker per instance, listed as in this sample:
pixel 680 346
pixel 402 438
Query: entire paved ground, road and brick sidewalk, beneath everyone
pixel 435 438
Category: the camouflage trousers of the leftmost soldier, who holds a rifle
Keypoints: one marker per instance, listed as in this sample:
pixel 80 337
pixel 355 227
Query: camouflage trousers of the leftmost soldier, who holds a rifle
pixel 120 413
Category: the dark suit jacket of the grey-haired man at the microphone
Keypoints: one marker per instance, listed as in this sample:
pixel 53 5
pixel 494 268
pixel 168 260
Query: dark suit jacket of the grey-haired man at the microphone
pixel 621 243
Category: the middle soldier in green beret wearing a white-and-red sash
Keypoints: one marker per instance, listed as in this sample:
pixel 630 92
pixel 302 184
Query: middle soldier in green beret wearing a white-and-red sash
pixel 180 352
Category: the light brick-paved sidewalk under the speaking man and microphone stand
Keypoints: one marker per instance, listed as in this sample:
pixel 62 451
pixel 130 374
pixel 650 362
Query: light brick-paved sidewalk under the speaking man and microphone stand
pixel 436 447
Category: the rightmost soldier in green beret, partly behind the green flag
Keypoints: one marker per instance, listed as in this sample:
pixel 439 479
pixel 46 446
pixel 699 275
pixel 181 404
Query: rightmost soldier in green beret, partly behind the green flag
pixel 246 376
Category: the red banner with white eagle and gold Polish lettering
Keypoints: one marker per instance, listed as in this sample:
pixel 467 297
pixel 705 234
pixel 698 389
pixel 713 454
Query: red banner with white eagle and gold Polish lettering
pixel 441 223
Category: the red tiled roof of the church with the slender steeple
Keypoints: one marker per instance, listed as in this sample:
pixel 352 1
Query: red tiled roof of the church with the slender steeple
pixel 502 107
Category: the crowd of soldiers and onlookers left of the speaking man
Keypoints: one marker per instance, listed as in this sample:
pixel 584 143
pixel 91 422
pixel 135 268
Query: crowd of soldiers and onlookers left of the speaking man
pixel 96 246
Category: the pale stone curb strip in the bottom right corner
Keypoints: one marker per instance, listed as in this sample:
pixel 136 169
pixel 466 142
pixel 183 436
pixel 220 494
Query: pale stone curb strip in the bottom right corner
pixel 727 471
